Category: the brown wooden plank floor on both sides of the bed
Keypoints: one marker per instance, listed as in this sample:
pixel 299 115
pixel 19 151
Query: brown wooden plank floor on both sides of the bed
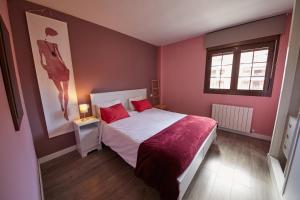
pixel 234 168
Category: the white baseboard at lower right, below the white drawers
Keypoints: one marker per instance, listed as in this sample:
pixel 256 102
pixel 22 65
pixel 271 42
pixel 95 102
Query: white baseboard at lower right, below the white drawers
pixel 277 176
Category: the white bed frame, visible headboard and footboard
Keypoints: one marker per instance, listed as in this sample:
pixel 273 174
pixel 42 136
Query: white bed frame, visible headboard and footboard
pixel 186 177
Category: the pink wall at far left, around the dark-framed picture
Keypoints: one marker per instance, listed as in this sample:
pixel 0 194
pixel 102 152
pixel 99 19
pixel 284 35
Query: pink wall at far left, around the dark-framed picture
pixel 18 163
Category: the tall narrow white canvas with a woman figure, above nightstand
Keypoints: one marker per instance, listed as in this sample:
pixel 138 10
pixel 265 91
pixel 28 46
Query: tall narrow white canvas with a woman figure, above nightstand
pixel 53 65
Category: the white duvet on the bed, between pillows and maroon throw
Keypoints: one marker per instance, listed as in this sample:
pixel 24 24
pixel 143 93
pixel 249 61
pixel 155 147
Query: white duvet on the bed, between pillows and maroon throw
pixel 124 136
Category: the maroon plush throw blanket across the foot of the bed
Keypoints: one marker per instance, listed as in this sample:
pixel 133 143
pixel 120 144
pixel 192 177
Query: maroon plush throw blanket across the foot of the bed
pixel 164 157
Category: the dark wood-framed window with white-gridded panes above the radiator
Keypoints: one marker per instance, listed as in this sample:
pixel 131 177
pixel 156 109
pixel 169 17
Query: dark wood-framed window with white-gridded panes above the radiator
pixel 245 68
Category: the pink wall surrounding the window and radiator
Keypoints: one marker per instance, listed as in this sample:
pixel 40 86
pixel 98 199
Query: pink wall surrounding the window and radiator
pixel 182 71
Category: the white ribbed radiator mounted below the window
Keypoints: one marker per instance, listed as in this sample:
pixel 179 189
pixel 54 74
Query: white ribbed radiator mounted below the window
pixel 234 118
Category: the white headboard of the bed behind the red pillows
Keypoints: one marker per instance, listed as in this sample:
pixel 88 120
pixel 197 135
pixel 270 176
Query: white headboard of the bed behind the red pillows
pixel 123 96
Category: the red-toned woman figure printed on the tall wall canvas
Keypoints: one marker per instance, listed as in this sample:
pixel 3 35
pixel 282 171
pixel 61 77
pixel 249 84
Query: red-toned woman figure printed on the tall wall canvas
pixel 53 63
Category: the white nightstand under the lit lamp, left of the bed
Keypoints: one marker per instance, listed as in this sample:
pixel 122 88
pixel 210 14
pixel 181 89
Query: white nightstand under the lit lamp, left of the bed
pixel 87 134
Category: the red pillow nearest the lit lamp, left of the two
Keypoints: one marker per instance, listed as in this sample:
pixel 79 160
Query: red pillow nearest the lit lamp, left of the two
pixel 113 113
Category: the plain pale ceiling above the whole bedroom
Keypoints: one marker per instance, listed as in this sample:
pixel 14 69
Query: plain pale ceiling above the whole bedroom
pixel 162 22
